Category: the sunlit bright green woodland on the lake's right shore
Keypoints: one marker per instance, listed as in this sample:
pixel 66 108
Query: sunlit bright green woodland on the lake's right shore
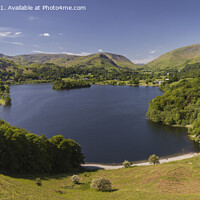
pixel 179 105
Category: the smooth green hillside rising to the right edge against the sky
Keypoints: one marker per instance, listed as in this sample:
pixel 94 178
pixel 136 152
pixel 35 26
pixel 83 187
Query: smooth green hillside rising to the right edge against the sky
pixel 176 58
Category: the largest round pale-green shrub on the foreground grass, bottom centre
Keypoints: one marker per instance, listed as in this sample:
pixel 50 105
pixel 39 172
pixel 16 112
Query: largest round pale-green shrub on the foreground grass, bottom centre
pixel 101 184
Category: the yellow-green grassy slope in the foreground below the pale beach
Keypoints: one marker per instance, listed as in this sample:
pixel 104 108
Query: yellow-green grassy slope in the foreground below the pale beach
pixel 175 180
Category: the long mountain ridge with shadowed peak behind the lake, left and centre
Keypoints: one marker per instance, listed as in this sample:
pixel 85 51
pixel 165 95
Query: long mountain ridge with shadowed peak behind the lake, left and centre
pixel 107 60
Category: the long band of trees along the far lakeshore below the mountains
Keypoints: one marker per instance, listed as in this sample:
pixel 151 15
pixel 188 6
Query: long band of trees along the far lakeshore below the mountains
pixel 50 72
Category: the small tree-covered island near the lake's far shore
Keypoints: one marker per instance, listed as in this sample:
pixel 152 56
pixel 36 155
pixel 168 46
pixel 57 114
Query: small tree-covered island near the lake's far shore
pixel 64 85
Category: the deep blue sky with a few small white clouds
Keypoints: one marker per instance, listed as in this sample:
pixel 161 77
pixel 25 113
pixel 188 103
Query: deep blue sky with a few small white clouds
pixel 141 30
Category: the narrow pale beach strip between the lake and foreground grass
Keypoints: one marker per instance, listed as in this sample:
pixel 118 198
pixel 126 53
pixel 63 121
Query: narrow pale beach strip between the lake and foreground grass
pixel 95 166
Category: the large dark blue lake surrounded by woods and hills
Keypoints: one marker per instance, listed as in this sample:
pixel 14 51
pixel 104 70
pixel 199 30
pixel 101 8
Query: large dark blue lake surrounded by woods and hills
pixel 108 121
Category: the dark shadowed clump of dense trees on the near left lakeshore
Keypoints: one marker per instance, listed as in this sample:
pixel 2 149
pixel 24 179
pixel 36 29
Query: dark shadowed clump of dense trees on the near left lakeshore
pixel 24 152
